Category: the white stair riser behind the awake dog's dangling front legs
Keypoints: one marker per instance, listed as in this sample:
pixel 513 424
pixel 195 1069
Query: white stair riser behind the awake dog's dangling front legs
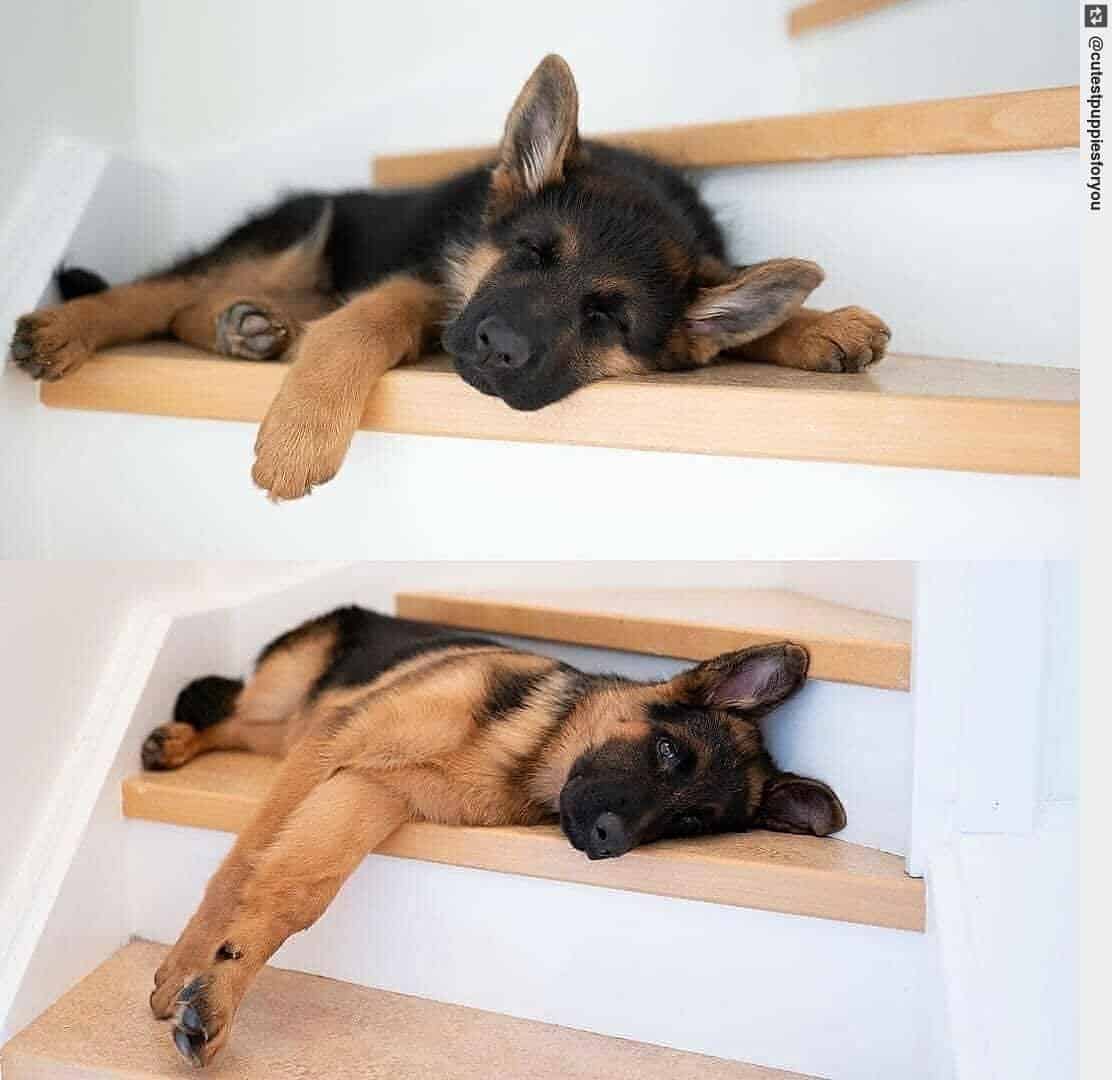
pixel 815 996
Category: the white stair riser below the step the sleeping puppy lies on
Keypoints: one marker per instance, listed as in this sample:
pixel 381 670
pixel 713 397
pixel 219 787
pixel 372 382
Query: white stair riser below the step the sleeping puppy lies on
pixel 398 496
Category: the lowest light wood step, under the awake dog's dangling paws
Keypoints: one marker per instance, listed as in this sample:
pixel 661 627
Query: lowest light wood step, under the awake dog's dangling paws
pixel 294 1025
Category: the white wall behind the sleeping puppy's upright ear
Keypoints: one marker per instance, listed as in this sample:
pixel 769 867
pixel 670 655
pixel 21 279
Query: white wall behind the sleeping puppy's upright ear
pixel 359 78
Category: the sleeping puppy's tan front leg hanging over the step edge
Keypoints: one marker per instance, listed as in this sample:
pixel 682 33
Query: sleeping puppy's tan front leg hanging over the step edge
pixel 339 361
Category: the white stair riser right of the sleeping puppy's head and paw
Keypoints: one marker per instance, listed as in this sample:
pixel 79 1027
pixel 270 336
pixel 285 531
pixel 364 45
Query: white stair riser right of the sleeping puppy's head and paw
pixel 964 255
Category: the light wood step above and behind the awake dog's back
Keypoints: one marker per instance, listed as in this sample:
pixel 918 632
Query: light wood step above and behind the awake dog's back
pixel 847 646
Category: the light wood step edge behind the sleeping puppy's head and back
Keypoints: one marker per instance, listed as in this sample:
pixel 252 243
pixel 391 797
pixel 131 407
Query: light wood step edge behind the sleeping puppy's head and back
pixel 1022 121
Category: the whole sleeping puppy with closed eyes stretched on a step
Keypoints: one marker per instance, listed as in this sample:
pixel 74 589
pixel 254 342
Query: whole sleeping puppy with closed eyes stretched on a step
pixel 564 262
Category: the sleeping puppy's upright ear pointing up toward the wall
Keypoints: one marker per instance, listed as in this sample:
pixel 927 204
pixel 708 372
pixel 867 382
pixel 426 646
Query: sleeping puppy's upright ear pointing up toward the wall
pixel 542 134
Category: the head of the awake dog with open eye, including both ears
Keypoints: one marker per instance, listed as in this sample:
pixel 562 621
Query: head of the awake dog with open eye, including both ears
pixel 687 758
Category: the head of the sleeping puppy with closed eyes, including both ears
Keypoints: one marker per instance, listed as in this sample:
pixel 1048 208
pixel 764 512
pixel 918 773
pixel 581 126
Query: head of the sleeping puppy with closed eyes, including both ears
pixel 588 267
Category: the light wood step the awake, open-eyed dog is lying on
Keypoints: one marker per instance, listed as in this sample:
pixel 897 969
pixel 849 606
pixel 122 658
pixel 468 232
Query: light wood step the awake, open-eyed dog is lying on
pixel 806 876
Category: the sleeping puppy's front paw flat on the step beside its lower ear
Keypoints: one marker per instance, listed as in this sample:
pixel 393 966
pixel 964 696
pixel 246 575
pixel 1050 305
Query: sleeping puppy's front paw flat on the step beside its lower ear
pixel 849 340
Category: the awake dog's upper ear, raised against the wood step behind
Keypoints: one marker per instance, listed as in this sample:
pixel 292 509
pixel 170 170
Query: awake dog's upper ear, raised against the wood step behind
pixel 753 681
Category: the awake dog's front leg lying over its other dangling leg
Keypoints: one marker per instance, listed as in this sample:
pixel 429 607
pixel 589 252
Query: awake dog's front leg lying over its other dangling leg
pixel 292 885
